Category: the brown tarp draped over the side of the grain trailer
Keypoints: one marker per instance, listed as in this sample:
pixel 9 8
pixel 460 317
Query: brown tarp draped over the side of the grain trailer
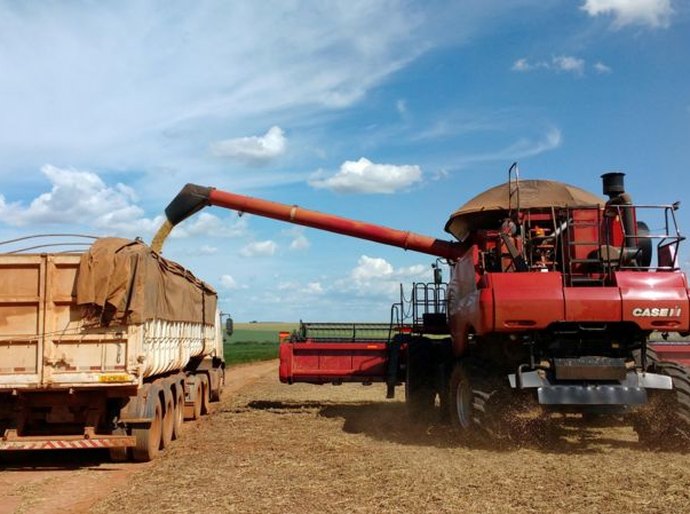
pixel 124 281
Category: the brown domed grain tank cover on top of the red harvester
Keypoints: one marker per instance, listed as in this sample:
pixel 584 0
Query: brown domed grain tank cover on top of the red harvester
pixel 487 209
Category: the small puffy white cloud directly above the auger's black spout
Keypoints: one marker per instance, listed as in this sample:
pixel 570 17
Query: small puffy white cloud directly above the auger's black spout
pixel 253 149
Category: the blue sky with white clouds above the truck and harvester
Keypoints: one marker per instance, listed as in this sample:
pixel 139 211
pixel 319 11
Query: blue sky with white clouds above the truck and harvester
pixel 392 112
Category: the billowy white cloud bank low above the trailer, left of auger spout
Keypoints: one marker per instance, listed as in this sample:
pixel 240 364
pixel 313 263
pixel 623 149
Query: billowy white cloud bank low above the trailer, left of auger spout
pixel 81 198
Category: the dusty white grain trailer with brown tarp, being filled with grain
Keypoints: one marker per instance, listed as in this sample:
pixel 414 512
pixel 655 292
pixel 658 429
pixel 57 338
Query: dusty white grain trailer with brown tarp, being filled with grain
pixel 112 348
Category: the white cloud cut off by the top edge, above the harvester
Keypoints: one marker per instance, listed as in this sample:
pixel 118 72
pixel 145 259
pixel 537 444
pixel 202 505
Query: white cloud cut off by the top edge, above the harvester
pixel 653 13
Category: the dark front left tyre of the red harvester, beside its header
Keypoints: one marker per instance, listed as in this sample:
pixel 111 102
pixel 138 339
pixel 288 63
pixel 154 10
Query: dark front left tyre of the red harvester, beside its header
pixel 420 392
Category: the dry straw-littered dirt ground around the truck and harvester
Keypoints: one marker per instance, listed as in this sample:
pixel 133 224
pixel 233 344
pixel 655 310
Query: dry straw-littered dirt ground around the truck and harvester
pixel 269 448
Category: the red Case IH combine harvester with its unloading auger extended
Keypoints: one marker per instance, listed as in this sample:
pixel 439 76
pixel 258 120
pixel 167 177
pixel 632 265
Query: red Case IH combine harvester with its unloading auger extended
pixel 554 295
